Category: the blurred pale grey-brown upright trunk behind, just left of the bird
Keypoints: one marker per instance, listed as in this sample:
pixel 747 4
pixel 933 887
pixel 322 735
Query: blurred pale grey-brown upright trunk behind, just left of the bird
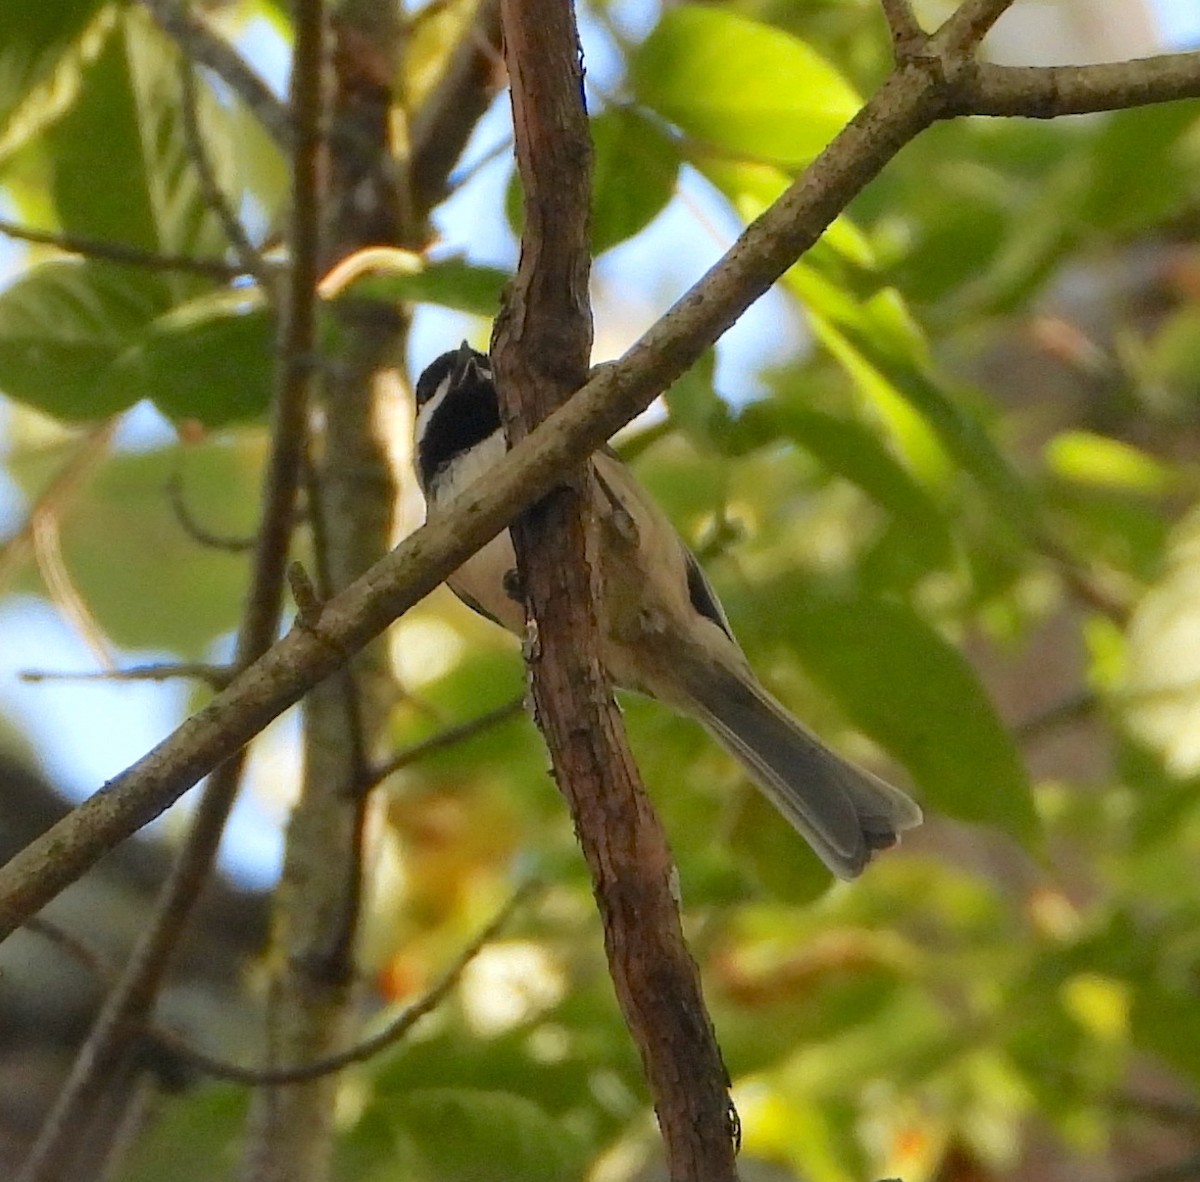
pixel 352 494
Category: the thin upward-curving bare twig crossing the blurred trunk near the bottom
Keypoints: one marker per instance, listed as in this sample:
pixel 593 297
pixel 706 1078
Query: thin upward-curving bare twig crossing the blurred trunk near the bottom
pixel 391 1035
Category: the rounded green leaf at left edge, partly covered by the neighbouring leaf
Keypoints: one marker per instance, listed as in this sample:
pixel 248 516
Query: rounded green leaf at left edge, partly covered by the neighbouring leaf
pixel 64 325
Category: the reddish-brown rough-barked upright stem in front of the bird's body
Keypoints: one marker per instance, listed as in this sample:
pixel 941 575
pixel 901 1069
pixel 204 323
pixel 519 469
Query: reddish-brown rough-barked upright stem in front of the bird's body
pixel 542 346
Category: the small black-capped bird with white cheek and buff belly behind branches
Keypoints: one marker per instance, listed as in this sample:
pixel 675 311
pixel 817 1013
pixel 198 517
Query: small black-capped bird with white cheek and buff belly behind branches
pixel 664 631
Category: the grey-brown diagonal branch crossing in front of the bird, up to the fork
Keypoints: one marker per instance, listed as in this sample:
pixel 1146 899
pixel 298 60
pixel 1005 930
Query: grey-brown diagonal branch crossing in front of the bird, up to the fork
pixel 907 104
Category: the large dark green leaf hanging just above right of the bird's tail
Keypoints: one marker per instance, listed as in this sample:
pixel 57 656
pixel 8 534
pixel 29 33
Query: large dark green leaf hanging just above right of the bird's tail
pixel 904 686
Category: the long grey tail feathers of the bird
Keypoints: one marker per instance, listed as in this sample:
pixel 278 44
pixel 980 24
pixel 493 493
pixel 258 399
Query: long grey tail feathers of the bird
pixel 845 814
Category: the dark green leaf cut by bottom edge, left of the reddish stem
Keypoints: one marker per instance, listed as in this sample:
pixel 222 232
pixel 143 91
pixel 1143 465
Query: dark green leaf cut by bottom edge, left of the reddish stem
pixel 472 1136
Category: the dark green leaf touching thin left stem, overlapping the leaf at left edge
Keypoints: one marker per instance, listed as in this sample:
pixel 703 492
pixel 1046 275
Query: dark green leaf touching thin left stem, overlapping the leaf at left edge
pixel 212 361
